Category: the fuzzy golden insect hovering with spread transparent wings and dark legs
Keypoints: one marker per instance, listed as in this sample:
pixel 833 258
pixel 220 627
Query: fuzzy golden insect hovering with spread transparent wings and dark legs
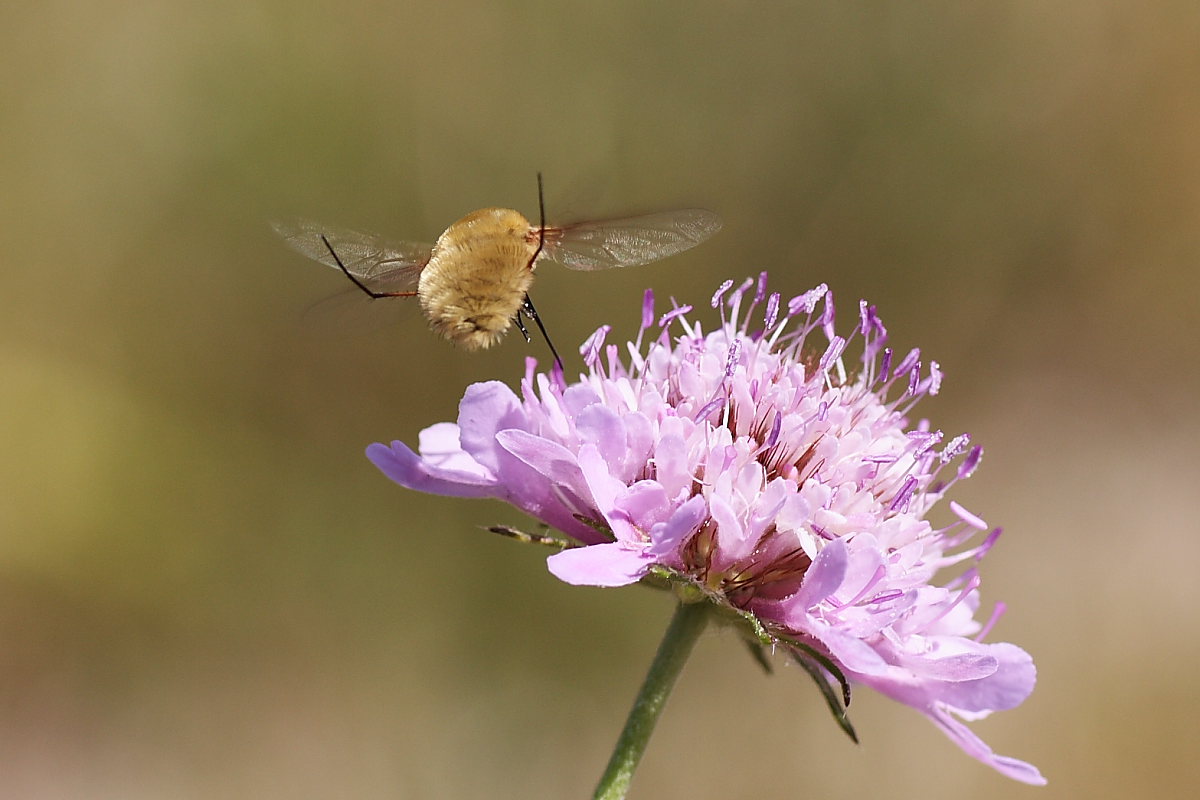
pixel 473 284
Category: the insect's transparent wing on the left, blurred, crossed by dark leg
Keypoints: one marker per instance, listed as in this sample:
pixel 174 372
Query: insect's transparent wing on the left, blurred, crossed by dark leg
pixel 380 264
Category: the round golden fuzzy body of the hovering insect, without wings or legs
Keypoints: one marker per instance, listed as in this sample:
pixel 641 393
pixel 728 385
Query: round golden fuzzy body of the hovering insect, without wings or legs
pixel 478 276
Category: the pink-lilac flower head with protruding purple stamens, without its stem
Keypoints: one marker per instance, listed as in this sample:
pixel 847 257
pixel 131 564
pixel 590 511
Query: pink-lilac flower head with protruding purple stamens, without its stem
pixel 755 462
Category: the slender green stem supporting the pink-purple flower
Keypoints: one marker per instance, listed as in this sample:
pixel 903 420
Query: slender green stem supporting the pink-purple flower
pixel 686 628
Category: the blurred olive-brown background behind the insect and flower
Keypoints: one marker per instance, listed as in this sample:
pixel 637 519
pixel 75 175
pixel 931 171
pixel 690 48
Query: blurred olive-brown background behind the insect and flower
pixel 206 590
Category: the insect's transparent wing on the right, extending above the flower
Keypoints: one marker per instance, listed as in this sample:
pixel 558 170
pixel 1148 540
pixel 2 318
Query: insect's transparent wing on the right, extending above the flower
pixel 629 242
